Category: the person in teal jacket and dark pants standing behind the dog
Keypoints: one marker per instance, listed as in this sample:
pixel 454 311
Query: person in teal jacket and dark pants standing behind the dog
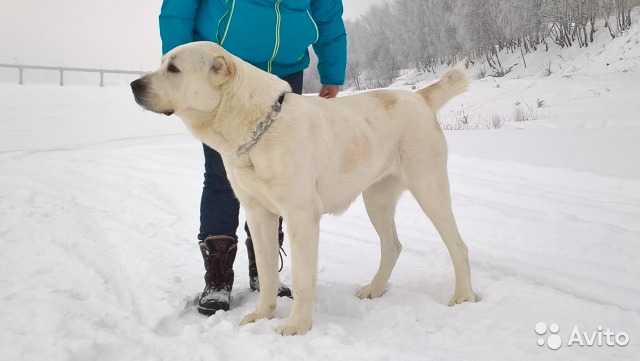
pixel 273 35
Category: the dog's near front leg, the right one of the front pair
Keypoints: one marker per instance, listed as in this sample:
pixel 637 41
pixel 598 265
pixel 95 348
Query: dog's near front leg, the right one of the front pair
pixel 303 228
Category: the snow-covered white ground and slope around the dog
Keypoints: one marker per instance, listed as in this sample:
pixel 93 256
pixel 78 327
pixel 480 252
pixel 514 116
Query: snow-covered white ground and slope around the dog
pixel 99 210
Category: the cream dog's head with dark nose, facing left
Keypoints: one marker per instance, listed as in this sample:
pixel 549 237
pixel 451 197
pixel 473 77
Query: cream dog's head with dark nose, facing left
pixel 191 78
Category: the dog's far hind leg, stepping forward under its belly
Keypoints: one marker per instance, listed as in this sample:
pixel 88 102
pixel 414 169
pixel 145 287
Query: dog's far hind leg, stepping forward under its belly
pixel 380 200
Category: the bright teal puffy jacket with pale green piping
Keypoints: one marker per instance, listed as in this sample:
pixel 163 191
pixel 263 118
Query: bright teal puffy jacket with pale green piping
pixel 273 35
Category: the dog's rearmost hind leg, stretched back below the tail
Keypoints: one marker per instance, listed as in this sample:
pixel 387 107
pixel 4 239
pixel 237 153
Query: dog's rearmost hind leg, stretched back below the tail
pixel 427 180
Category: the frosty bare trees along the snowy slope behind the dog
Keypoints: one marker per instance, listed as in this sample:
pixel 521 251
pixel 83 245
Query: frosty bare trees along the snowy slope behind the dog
pixel 424 34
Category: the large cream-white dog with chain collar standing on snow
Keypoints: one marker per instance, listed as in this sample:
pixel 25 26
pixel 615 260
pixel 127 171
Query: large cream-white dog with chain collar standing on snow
pixel 301 157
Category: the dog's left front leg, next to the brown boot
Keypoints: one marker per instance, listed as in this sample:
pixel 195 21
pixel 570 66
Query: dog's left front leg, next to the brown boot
pixel 264 232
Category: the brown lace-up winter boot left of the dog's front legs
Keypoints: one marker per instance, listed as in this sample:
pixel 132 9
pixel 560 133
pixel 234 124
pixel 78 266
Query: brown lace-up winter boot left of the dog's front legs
pixel 218 253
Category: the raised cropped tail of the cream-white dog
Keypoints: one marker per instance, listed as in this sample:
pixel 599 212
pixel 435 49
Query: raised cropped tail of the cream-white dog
pixel 453 82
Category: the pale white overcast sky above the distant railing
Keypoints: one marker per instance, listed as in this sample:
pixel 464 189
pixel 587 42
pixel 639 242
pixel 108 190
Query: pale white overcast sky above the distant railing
pixel 90 33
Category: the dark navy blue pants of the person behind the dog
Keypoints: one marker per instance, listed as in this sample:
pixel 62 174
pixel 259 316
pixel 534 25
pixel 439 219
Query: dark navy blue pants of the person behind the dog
pixel 219 207
